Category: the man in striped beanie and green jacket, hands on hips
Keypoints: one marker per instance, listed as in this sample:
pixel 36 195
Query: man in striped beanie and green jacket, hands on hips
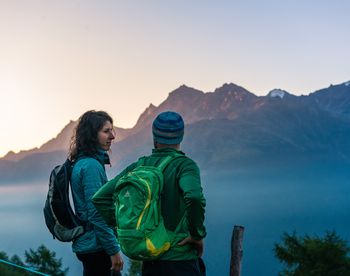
pixel 182 201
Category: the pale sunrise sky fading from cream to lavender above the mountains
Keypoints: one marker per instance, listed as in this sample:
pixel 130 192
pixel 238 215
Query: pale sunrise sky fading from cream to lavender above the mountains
pixel 60 58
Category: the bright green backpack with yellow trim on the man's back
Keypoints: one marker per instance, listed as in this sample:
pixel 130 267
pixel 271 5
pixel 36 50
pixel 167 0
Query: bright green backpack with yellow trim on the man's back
pixel 140 226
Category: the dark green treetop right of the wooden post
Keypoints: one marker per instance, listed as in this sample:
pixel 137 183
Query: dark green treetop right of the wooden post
pixel 311 256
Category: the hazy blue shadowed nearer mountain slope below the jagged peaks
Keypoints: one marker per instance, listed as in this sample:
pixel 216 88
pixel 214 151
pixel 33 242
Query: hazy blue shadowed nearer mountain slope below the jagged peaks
pixel 272 132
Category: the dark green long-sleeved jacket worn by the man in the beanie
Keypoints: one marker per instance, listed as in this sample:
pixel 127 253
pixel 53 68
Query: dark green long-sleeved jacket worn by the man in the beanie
pixel 182 201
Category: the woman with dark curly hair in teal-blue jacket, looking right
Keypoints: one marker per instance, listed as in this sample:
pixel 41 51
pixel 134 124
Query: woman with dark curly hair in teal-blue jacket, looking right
pixel 97 248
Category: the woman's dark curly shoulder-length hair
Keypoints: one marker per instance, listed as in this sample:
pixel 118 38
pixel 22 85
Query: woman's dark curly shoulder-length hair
pixel 84 139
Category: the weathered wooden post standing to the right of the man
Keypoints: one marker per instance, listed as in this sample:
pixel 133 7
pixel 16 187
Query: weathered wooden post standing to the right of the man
pixel 236 250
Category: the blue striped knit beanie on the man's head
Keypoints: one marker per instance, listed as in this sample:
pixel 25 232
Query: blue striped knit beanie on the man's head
pixel 168 128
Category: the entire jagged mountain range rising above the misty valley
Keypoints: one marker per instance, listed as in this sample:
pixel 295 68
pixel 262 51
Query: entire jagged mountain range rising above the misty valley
pixel 228 130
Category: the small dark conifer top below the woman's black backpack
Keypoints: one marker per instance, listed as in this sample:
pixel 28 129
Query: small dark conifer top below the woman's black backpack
pixel 45 261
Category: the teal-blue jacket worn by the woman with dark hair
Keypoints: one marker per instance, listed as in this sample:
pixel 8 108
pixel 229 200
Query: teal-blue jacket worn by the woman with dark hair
pixel 88 176
